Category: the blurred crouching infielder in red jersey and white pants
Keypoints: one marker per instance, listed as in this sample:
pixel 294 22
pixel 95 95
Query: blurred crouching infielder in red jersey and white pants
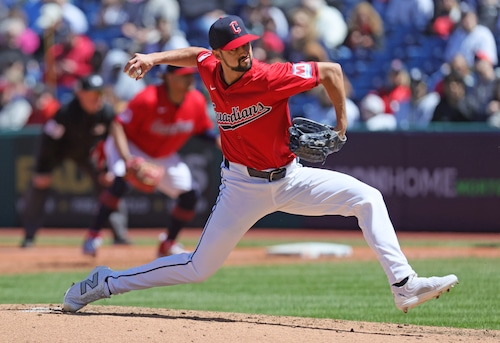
pixel 142 152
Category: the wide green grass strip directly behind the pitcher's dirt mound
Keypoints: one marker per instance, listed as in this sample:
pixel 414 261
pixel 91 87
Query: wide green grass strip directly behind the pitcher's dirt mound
pixel 339 290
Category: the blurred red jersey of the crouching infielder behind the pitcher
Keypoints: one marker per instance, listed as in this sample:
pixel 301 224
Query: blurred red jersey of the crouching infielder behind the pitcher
pixel 159 127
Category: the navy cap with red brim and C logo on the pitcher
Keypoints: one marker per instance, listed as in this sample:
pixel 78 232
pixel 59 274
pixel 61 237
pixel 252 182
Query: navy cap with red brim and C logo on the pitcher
pixel 229 33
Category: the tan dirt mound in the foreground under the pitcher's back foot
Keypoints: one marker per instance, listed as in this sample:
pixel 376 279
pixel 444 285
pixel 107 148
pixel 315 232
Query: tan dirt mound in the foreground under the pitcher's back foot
pixel 43 323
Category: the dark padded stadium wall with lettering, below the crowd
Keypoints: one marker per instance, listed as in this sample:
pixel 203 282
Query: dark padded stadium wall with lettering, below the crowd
pixel 438 180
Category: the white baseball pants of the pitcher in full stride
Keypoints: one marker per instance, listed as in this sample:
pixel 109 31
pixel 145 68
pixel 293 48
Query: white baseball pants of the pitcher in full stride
pixel 243 200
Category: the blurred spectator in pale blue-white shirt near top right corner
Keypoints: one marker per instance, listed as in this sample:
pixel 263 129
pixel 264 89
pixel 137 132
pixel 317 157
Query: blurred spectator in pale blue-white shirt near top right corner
pixel 470 37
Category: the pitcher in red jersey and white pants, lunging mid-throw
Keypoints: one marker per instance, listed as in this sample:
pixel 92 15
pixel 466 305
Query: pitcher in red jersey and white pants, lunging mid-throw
pixel 260 174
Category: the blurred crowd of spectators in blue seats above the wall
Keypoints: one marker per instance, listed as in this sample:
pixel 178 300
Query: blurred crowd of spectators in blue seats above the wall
pixel 406 63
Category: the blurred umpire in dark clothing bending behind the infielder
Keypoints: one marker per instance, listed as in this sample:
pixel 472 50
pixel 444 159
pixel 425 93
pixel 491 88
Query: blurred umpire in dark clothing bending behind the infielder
pixel 76 132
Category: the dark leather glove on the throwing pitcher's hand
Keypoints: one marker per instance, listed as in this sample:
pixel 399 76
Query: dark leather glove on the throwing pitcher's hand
pixel 312 141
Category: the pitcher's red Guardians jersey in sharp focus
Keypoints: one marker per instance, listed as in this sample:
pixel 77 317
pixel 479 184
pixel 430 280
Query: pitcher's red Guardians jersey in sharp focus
pixel 252 113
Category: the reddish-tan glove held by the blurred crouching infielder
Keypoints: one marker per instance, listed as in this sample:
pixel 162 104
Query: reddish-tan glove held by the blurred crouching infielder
pixel 143 175
